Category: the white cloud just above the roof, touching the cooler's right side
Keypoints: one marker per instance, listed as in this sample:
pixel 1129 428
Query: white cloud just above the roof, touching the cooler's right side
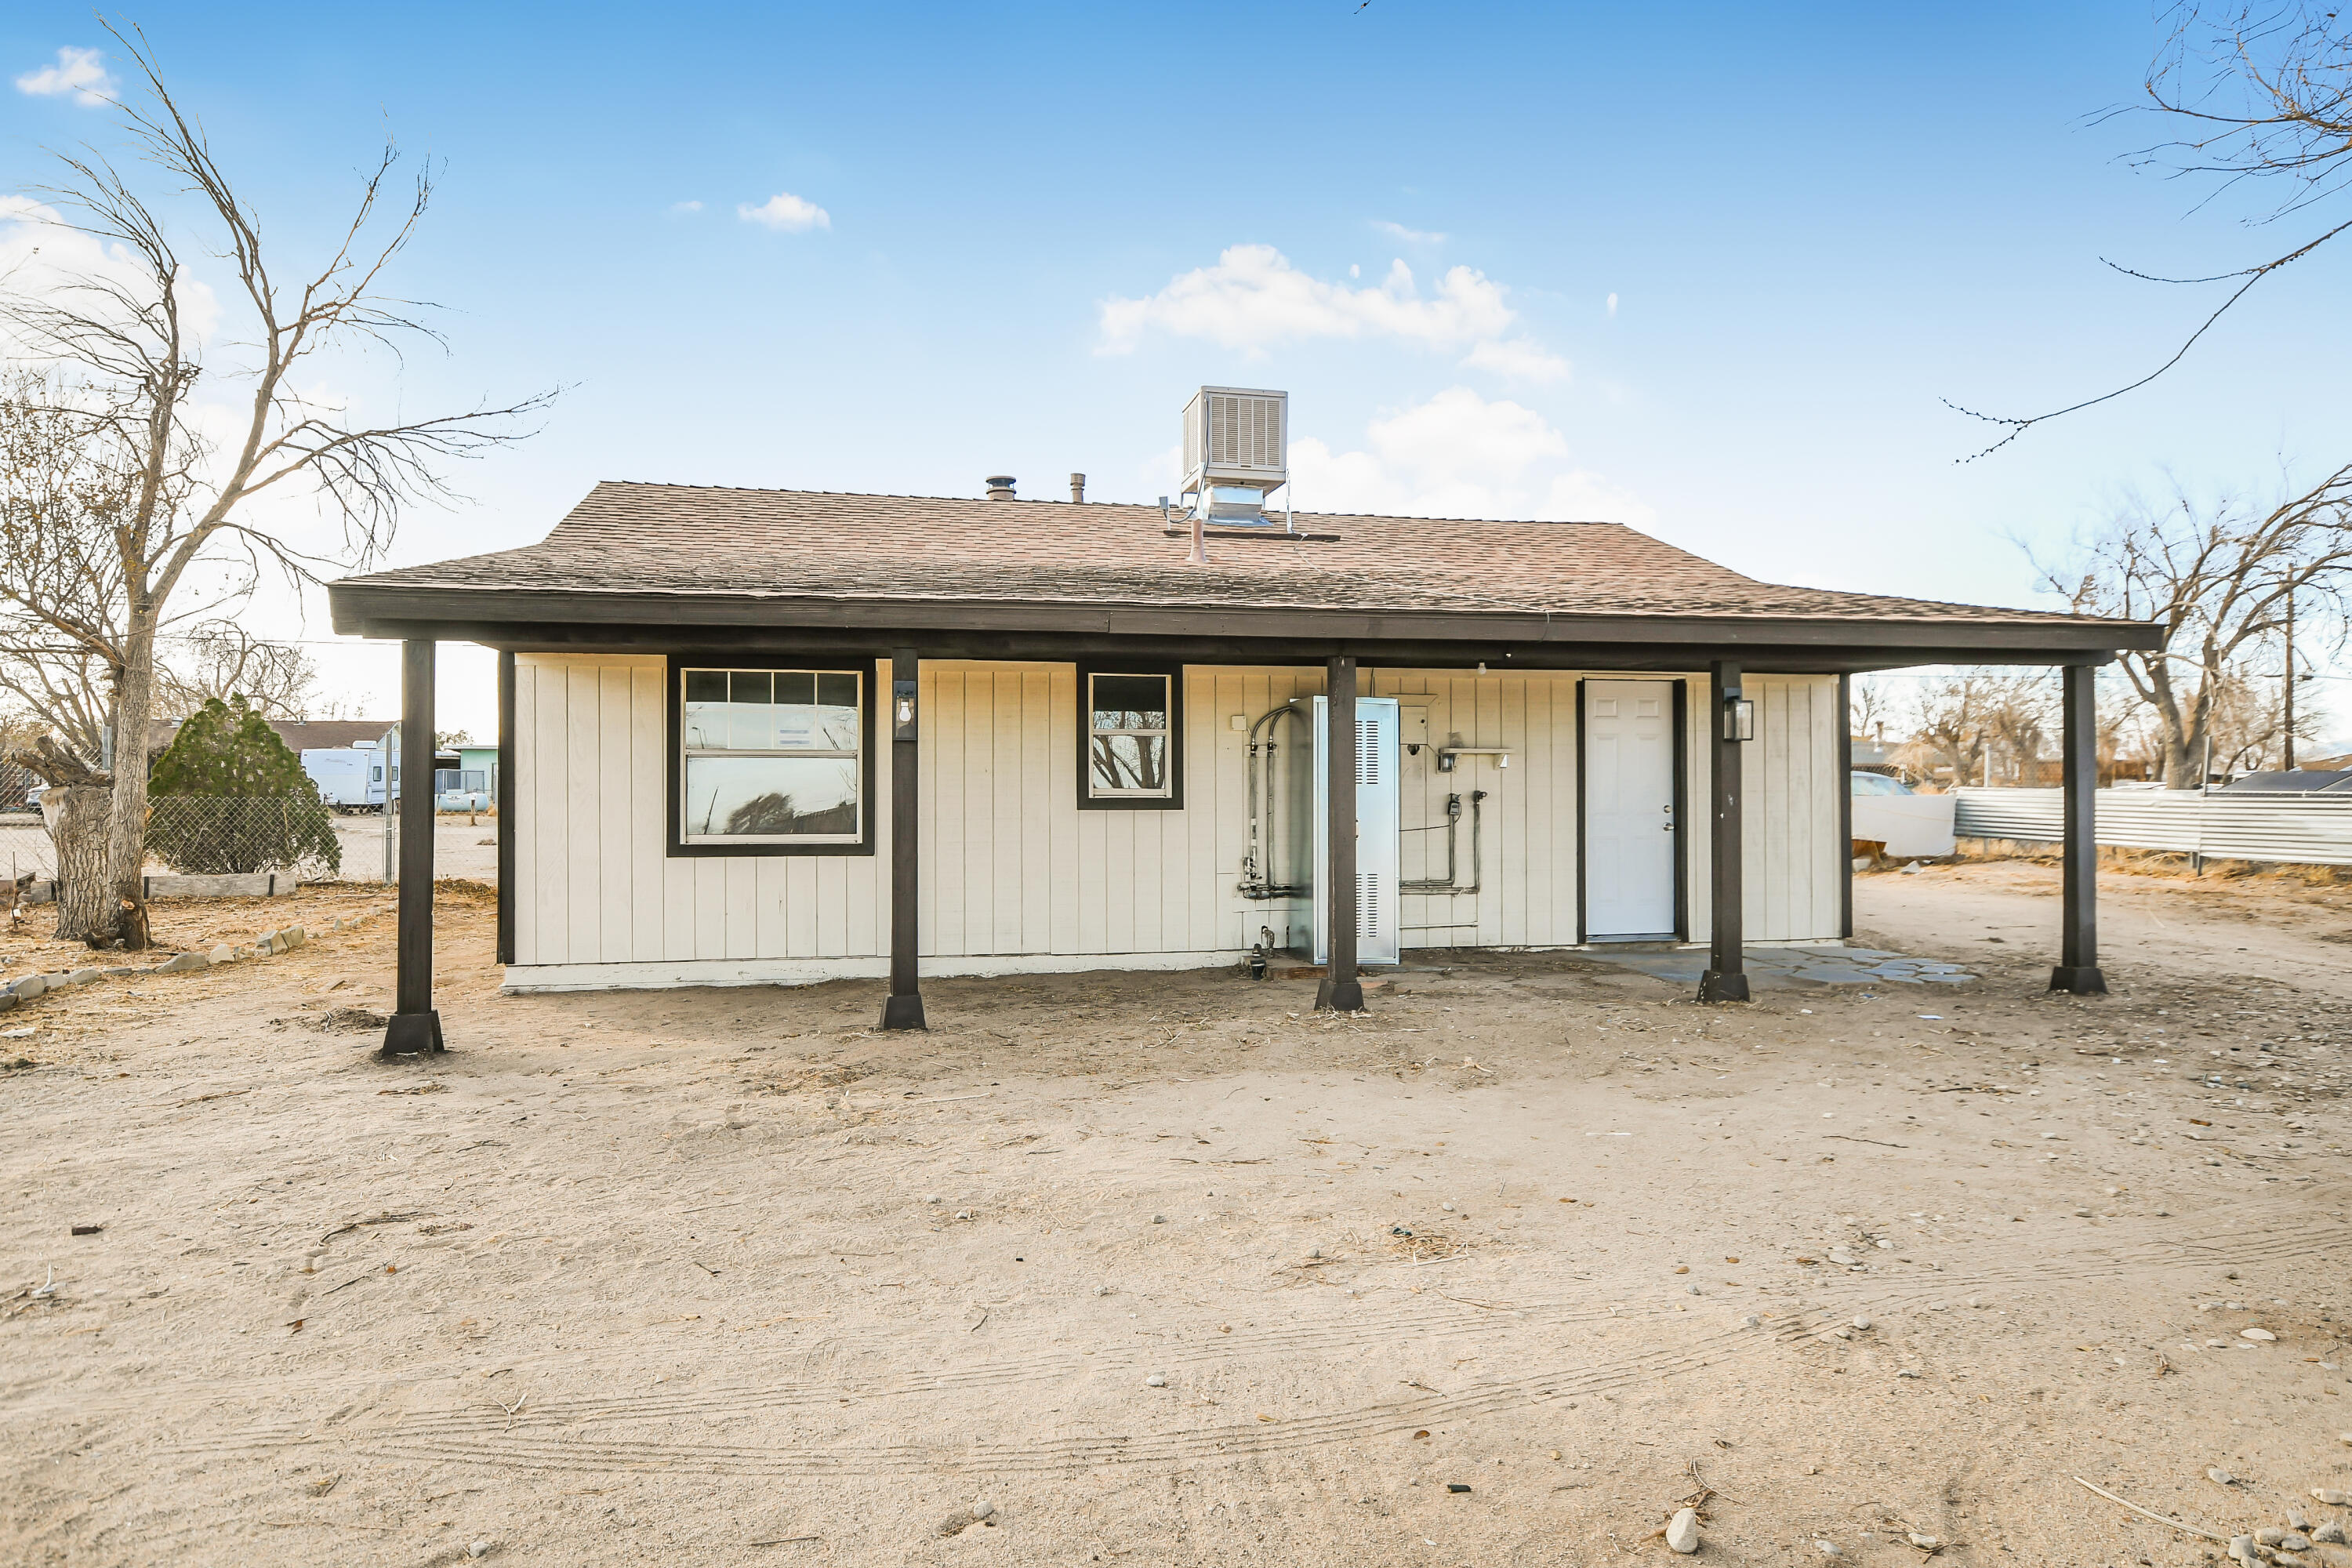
pixel 1459 457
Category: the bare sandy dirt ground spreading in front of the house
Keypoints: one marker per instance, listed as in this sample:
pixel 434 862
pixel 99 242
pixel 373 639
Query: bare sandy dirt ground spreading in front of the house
pixel 1172 1271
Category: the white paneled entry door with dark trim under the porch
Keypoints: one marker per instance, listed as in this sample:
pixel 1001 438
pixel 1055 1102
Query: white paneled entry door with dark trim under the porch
pixel 1631 808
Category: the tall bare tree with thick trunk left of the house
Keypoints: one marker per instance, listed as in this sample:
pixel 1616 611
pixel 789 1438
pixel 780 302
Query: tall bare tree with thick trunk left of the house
pixel 126 333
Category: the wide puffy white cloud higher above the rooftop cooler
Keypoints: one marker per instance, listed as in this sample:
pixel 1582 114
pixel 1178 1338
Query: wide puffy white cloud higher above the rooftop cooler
pixel 1255 300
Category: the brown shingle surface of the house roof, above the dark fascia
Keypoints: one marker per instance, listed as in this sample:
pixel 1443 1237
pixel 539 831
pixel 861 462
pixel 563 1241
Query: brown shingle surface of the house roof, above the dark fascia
pixel 782 544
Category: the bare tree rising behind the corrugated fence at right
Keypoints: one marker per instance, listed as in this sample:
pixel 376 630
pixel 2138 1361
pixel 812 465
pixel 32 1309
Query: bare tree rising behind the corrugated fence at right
pixel 2219 582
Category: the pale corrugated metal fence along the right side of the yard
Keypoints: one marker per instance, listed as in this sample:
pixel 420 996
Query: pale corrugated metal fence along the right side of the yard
pixel 2221 826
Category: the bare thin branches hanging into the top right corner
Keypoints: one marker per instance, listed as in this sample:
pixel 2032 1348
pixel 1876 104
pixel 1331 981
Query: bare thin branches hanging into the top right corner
pixel 2261 98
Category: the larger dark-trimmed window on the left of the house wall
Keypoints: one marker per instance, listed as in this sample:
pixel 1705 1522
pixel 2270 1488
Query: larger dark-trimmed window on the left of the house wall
pixel 770 758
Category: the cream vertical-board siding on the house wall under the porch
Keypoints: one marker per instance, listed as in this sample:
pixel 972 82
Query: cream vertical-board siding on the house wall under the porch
pixel 1015 876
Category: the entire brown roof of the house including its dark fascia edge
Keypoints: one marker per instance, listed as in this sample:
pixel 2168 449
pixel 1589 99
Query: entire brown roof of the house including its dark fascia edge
pixel 664 568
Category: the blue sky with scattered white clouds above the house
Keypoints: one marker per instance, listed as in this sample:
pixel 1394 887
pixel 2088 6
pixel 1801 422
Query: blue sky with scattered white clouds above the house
pixel 1702 269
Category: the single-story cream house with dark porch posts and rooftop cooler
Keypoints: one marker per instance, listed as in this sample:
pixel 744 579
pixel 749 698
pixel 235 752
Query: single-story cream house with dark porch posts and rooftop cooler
pixel 787 737
